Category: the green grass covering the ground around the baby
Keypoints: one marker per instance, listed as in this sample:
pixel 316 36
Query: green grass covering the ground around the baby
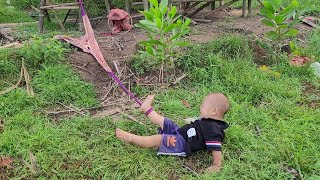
pixel 274 120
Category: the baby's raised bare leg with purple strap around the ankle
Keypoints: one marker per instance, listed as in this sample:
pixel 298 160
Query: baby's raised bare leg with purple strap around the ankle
pixel 153 116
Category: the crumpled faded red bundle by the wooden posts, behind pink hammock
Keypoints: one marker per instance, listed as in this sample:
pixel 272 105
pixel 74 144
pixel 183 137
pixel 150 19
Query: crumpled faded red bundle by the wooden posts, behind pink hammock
pixel 120 20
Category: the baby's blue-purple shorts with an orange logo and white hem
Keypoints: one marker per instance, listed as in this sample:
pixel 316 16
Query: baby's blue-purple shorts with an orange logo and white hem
pixel 172 142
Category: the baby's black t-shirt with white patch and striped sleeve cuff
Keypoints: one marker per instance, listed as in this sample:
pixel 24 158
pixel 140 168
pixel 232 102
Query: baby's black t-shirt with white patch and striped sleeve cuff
pixel 204 134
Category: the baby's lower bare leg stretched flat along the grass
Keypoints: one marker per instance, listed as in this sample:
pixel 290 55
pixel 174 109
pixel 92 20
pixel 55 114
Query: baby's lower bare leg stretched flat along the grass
pixel 142 141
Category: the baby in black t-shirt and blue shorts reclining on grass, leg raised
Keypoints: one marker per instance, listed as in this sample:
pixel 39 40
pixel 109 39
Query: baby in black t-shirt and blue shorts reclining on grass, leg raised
pixel 205 133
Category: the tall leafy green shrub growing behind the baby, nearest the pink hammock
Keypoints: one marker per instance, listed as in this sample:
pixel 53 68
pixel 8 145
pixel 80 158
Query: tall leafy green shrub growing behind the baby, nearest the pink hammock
pixel 164 31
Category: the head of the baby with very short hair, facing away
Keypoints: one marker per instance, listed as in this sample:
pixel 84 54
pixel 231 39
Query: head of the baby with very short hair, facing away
pixel 214 106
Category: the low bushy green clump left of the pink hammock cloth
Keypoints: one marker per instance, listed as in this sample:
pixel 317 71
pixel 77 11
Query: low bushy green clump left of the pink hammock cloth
pixel 40 50
